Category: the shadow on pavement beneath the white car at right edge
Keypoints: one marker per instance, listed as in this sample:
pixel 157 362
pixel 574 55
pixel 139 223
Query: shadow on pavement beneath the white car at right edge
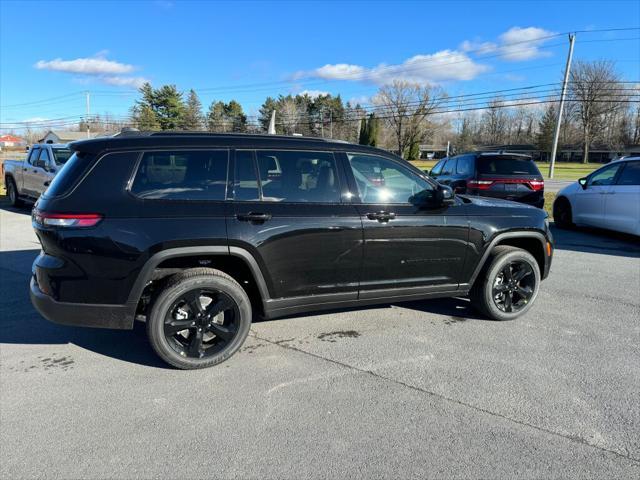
pixel 592 240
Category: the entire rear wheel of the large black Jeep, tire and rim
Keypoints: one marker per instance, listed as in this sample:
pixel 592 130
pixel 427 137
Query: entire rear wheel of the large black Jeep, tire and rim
pixel 207 338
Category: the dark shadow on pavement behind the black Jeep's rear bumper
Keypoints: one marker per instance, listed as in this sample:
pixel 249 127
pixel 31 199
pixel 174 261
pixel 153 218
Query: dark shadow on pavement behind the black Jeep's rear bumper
pixel 20 323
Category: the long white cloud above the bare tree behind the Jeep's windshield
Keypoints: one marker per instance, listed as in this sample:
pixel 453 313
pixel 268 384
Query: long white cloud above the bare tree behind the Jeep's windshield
pixel 424 69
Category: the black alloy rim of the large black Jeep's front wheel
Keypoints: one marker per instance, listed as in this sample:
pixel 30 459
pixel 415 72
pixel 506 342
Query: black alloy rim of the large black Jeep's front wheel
pixel 513 286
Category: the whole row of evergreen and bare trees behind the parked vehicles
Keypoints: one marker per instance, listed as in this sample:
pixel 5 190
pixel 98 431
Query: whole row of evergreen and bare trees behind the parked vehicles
pixel 601 109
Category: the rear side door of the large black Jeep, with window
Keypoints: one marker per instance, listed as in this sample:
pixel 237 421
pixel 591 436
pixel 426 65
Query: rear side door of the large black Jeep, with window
pixel 289 213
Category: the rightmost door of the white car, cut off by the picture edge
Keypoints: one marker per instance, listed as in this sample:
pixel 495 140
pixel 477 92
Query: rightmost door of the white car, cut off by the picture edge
pixel 622 202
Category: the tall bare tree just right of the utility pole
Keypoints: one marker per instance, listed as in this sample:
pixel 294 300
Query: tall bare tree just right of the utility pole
pixel 594 88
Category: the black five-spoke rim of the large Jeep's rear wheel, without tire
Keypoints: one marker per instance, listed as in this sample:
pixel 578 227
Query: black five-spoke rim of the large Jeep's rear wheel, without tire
pixel 201 323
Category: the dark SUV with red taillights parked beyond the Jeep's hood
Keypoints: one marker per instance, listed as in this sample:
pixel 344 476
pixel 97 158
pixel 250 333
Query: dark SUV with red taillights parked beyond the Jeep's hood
pixel 508 176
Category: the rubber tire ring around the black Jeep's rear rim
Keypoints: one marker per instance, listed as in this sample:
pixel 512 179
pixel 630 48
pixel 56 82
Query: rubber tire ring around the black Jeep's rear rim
pixel 155 322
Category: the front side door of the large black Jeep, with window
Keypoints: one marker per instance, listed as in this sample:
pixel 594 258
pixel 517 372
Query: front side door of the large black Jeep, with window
pixel 407 249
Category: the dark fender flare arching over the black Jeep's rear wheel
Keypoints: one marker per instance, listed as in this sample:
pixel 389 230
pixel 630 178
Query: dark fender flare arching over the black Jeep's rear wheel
pixel 156 259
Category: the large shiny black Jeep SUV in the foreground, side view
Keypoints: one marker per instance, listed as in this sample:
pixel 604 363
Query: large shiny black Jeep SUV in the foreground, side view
pixel 196 233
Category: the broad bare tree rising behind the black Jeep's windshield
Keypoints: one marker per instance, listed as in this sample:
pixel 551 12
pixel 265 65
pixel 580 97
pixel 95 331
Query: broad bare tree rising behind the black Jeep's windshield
pixel 405 107
